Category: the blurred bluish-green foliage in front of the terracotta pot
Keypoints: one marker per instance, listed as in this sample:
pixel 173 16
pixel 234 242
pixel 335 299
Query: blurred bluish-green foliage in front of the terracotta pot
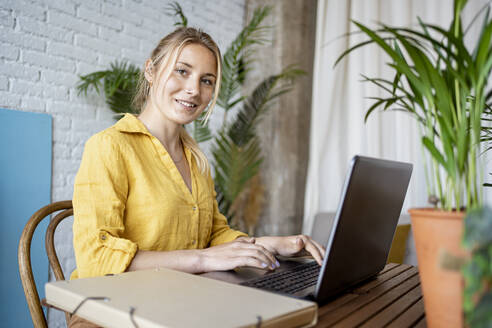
pixel 477 302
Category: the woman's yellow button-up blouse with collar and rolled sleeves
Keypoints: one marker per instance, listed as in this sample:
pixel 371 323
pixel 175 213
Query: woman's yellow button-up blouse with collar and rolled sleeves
pixel 129 195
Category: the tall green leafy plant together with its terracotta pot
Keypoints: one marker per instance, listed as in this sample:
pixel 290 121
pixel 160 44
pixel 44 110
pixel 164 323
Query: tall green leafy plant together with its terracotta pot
pixel 442 84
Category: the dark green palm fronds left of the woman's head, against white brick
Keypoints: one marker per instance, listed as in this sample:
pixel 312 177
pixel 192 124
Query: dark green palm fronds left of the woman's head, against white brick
pixel 119 84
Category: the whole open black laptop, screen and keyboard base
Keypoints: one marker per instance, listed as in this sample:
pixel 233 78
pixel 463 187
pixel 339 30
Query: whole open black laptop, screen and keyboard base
pixel 358 242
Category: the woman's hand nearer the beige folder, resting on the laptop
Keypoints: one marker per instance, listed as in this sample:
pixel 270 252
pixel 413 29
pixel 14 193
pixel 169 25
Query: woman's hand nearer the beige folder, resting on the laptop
pixel 238 253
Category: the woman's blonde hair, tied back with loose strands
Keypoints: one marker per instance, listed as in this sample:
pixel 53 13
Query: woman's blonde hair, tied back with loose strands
pixel 163 59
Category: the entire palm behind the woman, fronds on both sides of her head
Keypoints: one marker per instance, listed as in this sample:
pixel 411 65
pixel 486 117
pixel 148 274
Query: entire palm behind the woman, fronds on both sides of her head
pixel 236 150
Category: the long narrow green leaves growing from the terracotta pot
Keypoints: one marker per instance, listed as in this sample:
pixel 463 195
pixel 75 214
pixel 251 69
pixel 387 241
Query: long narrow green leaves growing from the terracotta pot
pixel 442 84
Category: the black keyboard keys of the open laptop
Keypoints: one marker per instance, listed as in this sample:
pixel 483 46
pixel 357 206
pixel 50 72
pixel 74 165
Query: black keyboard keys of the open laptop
pixel 290 281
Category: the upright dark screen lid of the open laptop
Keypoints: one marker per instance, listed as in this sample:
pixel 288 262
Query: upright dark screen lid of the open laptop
pixel 364 225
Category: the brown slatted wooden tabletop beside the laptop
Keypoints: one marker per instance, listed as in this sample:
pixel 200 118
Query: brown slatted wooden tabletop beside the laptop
pixel 392 299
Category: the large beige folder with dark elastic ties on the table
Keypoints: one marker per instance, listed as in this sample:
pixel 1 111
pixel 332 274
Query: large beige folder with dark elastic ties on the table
pixel 168 298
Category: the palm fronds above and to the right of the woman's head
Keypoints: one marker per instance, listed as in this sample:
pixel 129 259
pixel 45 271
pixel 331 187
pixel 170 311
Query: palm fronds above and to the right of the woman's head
pixel 236 148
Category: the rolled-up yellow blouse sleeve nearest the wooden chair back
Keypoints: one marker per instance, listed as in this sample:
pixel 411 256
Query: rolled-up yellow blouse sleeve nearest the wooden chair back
pixel 100 194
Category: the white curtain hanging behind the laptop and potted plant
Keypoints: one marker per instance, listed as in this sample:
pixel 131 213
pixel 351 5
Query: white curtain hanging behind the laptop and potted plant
pixel 338 131
